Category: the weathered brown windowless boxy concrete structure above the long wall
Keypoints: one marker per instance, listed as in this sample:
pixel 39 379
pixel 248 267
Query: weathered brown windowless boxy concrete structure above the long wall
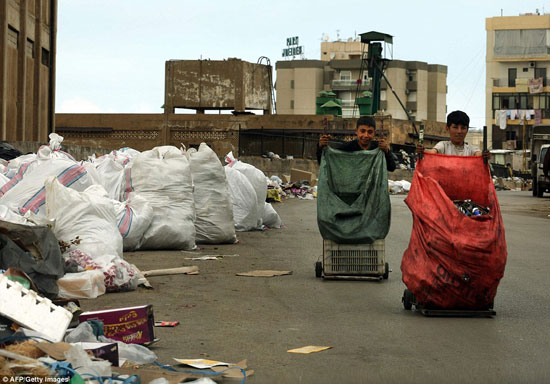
pixel 231 84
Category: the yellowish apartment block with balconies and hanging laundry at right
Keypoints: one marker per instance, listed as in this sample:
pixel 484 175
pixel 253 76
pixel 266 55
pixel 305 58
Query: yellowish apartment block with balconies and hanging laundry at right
pixel 517 88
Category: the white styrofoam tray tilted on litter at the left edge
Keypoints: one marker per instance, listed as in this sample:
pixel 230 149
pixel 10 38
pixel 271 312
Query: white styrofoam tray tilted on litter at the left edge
pixel 30 310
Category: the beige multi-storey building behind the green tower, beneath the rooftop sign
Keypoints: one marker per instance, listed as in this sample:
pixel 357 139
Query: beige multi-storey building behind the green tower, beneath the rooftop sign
pixel 420 86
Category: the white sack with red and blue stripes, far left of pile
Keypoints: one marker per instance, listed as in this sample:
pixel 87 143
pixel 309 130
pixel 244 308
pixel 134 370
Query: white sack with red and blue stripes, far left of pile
pixel 28 193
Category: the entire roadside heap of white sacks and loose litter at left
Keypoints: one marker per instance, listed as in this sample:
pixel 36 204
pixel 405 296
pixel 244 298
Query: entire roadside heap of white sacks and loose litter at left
pixel 64 225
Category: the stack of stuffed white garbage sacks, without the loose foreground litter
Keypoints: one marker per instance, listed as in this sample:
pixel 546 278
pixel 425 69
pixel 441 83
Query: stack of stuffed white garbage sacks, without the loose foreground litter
pixel 163 198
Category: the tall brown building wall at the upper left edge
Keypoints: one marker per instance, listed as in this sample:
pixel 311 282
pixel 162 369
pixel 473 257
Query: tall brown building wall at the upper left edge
pixel 27 69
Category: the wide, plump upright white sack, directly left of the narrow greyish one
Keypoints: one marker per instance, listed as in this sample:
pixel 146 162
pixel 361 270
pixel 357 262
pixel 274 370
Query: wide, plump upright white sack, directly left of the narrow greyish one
pixel 163 177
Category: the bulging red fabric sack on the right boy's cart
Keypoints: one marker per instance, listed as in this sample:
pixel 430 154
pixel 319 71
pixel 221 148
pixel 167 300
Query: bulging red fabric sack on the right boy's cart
pixel 453 261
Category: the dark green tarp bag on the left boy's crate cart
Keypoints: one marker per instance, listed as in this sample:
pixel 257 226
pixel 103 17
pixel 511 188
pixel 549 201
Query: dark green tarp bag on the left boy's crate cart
pixel 353 202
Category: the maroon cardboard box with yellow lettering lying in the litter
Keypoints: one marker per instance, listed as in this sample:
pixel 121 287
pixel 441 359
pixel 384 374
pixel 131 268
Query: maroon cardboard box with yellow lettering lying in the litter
pixel 133 325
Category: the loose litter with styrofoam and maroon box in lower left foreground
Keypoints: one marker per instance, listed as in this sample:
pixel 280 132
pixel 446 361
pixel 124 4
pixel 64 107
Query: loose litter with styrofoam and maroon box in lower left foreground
pixel 42 341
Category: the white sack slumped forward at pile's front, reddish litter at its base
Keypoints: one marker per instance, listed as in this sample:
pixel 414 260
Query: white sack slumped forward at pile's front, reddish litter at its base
pixel 85 225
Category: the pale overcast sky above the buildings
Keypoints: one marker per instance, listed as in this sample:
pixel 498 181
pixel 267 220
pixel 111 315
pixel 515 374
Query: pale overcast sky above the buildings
pixel 111 54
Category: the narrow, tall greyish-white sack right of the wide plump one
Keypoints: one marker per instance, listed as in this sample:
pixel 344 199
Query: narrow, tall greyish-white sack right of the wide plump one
pixel 214 211
